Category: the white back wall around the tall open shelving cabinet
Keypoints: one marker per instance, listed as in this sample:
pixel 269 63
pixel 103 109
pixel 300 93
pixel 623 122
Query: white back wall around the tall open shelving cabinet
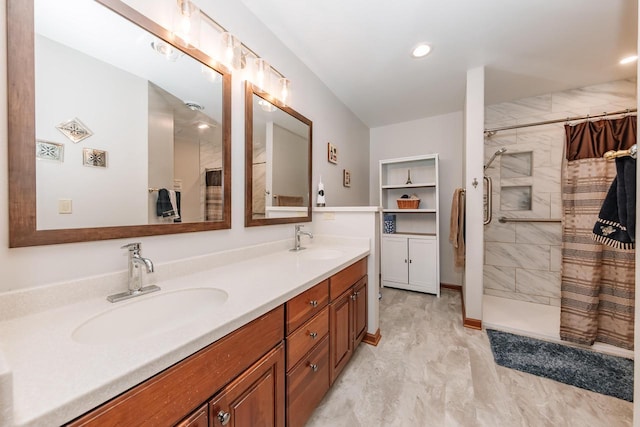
pixel 439 134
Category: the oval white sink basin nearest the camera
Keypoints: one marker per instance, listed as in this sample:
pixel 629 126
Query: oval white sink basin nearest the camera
pixel 149 315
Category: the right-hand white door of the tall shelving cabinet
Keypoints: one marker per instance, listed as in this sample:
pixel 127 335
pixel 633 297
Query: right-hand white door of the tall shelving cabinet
pixel 423 260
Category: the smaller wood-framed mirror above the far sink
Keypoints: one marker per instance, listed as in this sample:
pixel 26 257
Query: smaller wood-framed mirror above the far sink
pixel 277 161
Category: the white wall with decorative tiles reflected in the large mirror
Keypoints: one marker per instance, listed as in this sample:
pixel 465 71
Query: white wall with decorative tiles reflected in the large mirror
pixel 71 85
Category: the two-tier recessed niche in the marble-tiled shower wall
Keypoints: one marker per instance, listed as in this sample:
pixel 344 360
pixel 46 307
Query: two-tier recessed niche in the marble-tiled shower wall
pixel 516 176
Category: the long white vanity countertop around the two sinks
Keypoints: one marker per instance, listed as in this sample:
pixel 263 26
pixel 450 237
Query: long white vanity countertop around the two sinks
pixel 50 379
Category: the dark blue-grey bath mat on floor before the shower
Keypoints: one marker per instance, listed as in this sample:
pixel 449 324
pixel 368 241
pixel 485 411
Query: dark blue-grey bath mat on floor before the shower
pixel 602 373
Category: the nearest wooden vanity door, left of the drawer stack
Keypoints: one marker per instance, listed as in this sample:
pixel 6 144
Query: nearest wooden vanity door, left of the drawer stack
pixel 255 398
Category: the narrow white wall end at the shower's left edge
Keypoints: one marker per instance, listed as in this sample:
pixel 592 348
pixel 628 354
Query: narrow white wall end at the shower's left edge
pixel 474 155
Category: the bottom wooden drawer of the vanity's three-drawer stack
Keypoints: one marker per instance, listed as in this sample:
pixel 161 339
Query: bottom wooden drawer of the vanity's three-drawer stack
pixel 307 385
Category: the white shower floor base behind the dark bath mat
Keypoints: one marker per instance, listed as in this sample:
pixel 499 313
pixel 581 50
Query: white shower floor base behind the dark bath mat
pixel 533 320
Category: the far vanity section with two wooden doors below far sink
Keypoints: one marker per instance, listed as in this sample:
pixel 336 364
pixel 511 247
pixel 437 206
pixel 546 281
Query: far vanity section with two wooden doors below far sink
pixel 347 314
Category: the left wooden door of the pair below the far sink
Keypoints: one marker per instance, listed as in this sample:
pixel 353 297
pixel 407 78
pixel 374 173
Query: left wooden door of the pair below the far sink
pixel 341 332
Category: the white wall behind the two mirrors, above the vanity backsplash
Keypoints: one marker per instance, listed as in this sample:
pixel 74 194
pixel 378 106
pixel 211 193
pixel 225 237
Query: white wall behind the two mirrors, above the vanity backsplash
pixel 27 267
